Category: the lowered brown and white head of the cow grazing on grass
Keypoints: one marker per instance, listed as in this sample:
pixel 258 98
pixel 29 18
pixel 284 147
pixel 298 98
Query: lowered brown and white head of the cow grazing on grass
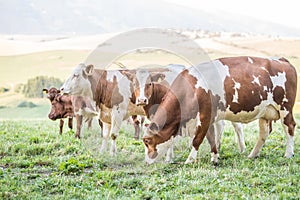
pixel 155 149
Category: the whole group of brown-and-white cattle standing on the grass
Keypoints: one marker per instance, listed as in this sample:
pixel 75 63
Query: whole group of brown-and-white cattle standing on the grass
pixel 182 101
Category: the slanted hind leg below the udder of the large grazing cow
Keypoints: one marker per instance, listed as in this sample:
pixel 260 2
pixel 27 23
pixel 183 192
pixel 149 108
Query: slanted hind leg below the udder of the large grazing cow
pixel 263 134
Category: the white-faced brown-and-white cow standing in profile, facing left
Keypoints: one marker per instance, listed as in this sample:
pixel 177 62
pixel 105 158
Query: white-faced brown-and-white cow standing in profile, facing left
pixel 111 90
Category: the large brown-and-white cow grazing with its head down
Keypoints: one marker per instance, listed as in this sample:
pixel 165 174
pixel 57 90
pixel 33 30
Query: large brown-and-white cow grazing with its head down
pixel 238 89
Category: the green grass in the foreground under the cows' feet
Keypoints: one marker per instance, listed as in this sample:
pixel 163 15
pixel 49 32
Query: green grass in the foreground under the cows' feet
pixel 36 162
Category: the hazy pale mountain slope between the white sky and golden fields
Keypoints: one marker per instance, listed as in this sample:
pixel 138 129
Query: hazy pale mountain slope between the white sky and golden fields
pixel 101 16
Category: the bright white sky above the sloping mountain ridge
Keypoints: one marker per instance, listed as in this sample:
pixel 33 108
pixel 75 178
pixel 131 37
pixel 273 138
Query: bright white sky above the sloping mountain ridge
pixel 282 12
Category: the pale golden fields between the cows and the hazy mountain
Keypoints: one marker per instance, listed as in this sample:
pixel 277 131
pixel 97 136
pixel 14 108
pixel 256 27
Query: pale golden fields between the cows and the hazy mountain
pixel 24 57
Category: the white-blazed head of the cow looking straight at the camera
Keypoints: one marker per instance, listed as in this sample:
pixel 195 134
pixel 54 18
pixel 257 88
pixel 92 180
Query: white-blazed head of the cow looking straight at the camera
pixel 143 85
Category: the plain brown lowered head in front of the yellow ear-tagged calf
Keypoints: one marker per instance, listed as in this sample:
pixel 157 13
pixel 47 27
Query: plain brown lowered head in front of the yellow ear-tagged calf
pixel 61 107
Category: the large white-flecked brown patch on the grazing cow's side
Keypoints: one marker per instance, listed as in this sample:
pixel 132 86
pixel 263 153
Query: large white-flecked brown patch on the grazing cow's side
pixel 249 95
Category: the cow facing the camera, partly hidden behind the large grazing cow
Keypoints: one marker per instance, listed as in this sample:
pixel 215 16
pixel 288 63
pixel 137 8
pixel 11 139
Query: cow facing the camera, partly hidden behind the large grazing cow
pixel 149 91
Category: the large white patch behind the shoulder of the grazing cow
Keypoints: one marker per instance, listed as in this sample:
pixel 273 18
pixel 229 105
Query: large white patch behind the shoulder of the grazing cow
pixel 206 72
